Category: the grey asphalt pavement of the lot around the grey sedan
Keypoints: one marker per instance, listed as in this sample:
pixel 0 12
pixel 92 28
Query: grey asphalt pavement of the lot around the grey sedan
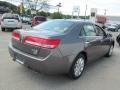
pixel 101 74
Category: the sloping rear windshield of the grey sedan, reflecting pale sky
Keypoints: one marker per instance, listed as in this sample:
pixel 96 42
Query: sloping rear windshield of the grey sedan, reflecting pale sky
pixel 55 26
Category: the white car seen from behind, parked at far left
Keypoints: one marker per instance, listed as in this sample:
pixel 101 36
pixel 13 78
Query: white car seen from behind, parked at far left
pixel 10 21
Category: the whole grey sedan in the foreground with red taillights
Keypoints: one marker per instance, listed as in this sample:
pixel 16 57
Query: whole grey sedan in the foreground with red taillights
pixel 60 46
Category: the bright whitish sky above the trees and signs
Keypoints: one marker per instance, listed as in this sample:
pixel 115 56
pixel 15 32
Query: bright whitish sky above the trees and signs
pixel 112 6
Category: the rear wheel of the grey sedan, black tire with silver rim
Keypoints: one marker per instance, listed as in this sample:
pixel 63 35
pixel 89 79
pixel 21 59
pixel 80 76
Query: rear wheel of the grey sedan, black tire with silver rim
pixel 77 69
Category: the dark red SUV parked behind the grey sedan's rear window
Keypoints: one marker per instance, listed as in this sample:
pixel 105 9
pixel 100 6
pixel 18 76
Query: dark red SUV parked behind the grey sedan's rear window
pixel 38 19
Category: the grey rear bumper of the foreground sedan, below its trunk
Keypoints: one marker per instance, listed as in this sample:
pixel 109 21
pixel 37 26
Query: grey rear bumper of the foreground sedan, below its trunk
pixel 53 64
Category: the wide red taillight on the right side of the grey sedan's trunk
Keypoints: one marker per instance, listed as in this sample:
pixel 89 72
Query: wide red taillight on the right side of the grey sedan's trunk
pixel 41 42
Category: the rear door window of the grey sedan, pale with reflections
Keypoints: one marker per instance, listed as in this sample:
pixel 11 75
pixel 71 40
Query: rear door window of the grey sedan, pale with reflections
pixel 89 30
